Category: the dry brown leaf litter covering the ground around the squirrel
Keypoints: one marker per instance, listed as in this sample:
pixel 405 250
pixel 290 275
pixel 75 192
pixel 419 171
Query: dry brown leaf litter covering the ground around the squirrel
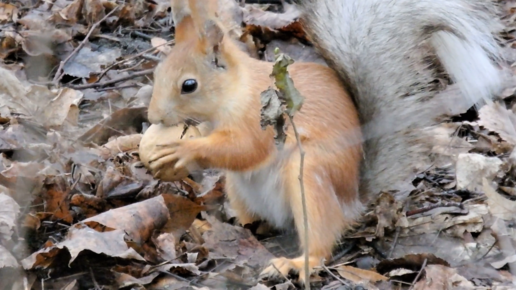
pixel 80 210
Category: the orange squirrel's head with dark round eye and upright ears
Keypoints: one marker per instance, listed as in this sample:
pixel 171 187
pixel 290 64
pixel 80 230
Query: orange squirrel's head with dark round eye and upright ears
pixel 193 80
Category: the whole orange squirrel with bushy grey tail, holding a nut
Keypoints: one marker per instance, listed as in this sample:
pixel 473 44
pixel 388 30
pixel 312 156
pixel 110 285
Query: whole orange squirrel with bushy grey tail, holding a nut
pixel 385 58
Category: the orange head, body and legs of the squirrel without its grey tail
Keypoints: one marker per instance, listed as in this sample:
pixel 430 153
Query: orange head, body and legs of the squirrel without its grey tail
pixel 206 77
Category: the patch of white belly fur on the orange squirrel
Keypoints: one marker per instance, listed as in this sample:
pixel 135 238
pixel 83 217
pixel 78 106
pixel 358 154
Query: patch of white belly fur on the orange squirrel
pixel 264 194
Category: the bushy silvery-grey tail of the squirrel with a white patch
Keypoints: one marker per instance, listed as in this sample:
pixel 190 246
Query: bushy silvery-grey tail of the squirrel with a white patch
pixel 393 56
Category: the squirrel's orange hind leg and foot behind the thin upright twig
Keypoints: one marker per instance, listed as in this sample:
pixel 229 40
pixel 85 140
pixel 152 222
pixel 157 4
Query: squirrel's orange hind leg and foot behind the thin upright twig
pixel 325 214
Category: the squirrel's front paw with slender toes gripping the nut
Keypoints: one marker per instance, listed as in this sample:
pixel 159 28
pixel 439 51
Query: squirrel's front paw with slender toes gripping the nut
pixel 178 153
